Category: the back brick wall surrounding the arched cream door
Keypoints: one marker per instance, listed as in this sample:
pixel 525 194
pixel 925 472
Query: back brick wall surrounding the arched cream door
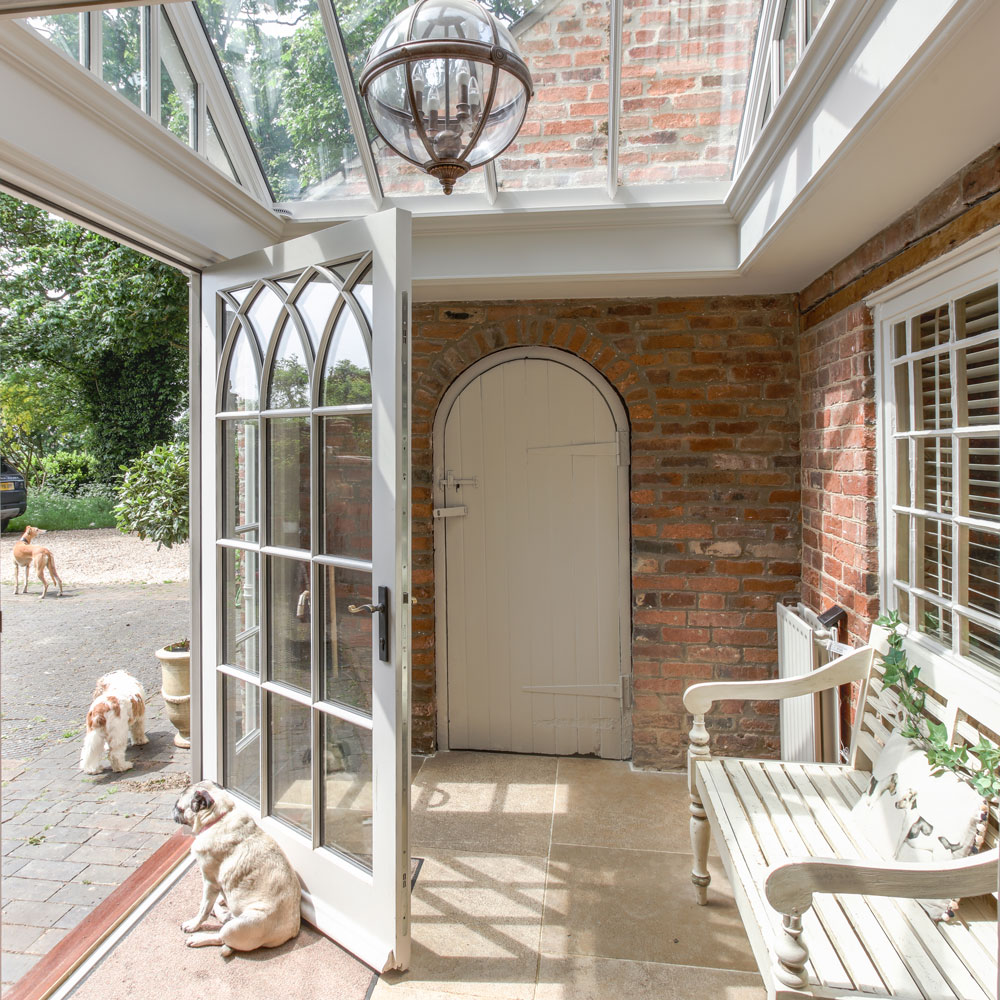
pixel 711 389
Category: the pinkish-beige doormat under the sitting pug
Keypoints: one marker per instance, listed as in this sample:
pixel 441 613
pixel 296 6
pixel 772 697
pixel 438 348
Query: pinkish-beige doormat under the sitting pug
pixel 153 961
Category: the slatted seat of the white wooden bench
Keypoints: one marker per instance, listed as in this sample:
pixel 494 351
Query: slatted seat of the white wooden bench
pixel 765 812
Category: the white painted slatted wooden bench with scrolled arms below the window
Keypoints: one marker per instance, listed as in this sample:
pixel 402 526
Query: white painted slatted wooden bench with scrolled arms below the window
pixel 825 918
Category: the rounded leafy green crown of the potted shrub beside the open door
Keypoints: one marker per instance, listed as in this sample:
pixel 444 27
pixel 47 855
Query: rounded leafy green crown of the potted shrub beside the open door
pixel 153 495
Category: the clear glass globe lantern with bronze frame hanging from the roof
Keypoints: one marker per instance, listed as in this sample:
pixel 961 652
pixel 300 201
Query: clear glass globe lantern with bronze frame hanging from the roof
pixel 446 87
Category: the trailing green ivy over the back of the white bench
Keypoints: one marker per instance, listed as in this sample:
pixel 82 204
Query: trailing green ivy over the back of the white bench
pixel 978 765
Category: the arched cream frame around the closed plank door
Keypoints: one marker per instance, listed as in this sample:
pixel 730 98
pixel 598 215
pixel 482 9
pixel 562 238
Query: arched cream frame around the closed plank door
pixel 620 417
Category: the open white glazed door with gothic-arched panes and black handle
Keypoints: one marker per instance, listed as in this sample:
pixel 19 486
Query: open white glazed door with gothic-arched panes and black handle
pixel 305 565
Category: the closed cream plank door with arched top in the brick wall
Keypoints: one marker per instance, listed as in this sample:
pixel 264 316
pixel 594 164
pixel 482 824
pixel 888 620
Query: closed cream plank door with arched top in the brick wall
pixel 529 477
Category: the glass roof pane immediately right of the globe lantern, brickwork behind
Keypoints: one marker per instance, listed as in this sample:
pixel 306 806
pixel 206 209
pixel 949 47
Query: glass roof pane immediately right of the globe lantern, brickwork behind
pixel 564 139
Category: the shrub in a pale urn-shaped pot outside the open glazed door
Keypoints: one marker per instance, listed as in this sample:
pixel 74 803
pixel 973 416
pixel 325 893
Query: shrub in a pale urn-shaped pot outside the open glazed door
pixel 153 502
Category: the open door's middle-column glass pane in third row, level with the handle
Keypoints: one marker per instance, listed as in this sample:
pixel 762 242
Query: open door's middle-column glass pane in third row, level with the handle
pixel 289 604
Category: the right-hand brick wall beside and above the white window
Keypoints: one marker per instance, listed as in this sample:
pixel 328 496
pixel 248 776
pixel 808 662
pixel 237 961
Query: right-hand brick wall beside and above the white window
pixel 839 533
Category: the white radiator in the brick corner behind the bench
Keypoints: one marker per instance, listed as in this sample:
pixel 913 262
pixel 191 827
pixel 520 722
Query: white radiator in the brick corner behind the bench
pixel 810 724
